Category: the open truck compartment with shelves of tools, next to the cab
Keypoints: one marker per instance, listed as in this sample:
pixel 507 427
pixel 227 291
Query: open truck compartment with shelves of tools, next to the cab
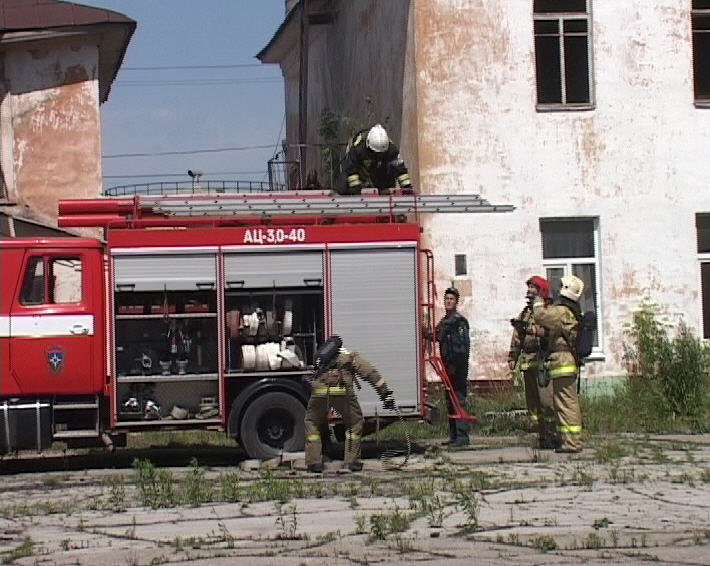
pixel 166 337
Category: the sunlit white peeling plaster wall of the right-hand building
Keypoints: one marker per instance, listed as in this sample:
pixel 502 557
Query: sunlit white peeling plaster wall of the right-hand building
pixel 638 161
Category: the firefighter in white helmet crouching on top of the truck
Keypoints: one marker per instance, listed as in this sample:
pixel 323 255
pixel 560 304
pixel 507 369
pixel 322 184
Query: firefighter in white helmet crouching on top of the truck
pixel 372 160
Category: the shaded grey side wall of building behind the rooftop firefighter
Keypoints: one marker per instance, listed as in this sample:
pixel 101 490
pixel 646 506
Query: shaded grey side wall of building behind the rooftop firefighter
pixel 360 67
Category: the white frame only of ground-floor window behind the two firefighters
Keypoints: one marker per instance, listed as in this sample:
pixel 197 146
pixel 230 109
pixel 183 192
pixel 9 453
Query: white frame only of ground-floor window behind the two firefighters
pixel 567 263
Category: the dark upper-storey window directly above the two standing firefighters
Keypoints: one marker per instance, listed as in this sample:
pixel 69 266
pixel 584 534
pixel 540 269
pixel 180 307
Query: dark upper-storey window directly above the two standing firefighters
pixel 563 53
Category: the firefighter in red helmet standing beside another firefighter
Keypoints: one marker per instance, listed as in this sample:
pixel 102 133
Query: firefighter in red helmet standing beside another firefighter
pixel 528 347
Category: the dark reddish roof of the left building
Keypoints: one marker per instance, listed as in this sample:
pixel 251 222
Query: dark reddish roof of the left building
pixel 41 15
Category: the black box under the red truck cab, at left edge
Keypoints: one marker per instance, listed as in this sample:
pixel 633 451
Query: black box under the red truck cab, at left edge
pixel 25 425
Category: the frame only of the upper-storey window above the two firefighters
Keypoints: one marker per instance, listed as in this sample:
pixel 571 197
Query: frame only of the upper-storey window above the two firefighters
pixel 561 17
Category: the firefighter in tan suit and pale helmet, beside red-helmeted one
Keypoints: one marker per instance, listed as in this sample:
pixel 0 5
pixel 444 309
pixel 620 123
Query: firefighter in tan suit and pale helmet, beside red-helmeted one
pixel 561 321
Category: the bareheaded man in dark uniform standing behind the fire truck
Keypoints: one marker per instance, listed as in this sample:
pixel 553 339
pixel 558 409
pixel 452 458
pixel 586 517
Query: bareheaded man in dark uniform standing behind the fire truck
pixel 452 332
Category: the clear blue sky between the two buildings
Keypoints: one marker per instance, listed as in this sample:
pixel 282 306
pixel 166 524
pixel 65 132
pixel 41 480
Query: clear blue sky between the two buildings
pixel 190 83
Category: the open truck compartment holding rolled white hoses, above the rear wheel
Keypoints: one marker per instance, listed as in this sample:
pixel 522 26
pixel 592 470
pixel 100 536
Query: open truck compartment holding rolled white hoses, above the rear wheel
pixel 273 310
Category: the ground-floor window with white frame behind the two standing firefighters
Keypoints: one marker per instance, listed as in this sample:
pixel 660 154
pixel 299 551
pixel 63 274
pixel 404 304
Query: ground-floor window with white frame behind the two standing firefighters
pixel 569 246
